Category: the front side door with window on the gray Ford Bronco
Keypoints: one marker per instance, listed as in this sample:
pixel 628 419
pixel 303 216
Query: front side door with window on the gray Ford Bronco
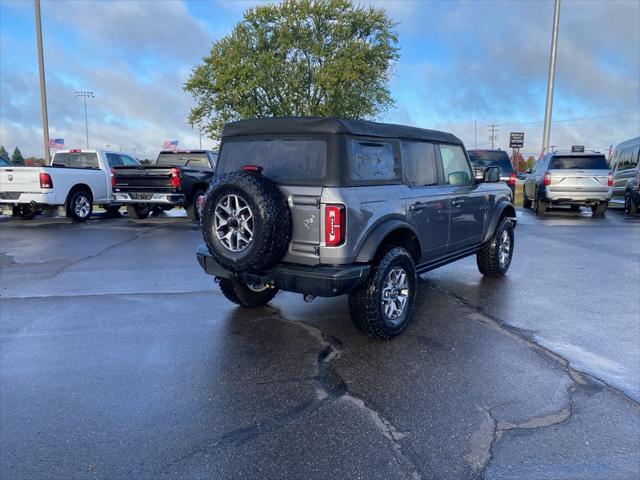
pixel 466 201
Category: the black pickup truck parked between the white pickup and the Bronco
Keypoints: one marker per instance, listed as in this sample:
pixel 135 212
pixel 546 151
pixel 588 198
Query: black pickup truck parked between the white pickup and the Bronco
pixel 179 178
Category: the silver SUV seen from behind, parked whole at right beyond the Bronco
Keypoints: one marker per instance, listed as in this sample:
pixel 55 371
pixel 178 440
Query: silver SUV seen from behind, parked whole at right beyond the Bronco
pixel 569 178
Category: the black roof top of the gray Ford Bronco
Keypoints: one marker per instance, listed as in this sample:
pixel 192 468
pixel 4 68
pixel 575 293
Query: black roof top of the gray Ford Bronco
pixel 328 125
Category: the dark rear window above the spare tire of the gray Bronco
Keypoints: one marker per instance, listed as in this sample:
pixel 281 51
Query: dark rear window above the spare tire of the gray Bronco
pixel 281 159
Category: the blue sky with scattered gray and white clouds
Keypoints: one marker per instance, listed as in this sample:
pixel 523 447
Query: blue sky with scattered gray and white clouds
pixel 460 63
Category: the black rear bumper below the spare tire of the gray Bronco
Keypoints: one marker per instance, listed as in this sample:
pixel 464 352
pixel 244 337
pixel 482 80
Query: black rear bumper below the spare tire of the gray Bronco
pixel 320 280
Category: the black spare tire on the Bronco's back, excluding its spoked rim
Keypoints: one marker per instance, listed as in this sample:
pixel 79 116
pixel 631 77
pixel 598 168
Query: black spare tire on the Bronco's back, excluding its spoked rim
pixel 271 217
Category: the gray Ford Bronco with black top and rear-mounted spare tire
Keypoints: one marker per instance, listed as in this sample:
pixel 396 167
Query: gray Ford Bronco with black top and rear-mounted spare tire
pixel 326 206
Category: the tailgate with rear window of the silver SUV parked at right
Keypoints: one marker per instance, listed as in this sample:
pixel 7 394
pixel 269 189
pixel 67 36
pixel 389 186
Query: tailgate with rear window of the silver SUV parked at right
pixel 578 173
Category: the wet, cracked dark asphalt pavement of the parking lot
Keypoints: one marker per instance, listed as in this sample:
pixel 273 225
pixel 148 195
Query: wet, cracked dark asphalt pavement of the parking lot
pixel 119 358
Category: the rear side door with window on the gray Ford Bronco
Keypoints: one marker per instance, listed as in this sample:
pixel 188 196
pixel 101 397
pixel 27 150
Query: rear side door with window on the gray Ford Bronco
pixel 428 200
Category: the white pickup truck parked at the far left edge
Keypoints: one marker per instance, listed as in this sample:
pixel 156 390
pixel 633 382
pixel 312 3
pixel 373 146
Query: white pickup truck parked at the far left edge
pixel 76 180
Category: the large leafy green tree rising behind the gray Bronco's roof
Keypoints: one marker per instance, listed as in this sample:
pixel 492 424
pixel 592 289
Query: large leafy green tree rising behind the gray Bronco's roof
pixel 297 58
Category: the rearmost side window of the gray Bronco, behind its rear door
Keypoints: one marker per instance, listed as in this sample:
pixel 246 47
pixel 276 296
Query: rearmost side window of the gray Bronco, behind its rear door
pixel 372 161
